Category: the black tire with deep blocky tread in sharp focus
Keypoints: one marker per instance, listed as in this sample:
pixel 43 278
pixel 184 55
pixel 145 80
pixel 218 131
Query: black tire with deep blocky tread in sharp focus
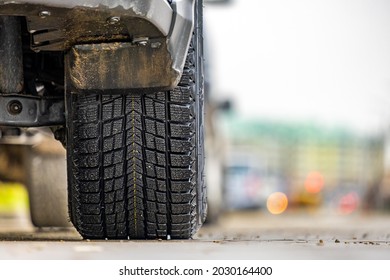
pixel 136 161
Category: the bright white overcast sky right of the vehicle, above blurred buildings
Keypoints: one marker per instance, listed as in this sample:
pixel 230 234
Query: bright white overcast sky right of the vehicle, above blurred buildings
pixel 326 61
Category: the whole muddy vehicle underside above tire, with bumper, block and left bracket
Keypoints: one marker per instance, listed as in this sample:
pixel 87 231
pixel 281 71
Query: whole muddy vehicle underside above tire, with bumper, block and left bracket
pixel 99 45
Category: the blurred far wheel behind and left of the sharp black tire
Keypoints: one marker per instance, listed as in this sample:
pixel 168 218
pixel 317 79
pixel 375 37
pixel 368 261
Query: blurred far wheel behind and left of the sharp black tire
pixel 45 170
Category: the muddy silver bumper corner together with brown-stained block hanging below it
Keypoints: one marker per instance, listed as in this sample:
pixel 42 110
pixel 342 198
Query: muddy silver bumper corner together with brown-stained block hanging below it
pixel 57 25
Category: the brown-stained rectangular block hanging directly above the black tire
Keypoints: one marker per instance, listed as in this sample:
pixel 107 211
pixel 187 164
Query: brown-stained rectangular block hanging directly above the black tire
pixel 112 66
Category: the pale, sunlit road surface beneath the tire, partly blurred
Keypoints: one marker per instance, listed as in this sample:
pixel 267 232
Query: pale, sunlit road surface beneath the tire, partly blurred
pixel 237 235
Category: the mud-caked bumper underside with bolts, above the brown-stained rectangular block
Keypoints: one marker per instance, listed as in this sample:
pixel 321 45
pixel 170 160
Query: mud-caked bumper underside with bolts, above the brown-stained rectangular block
pixel 56 25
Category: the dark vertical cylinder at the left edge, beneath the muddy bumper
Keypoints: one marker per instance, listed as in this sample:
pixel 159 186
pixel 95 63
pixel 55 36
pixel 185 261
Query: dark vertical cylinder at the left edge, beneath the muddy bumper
pixel 11 57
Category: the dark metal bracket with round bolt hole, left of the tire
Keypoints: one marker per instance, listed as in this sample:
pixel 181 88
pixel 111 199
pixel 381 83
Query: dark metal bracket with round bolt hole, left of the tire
pixel 31 111
